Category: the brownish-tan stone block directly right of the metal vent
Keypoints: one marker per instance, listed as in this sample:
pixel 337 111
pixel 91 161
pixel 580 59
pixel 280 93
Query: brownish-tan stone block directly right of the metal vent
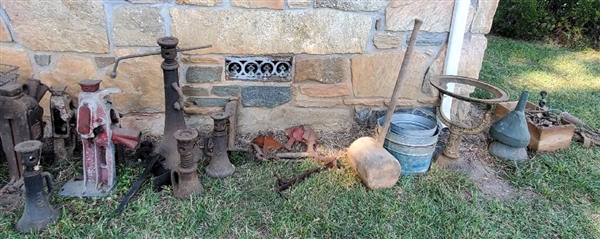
pixel 327 70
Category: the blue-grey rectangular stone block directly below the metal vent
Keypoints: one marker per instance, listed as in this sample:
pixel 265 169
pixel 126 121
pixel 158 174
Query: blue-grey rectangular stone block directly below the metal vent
pixel 265 96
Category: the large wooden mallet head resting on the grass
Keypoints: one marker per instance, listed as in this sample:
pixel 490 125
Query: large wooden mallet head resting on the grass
pixel 375 166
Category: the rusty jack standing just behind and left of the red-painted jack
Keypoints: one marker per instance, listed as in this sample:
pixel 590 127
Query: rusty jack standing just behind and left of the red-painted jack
pixel 62 112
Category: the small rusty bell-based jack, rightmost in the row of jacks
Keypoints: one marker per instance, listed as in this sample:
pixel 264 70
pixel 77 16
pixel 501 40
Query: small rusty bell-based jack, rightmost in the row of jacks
pixel 220 166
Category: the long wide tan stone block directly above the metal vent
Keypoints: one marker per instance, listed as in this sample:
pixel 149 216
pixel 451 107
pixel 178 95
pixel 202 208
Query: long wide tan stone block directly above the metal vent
pixel 314 32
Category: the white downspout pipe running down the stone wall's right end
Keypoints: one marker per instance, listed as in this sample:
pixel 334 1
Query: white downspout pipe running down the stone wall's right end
pixel 455 42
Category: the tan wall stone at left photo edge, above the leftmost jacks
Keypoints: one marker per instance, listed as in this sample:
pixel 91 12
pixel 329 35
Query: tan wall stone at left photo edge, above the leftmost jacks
pixel 11 54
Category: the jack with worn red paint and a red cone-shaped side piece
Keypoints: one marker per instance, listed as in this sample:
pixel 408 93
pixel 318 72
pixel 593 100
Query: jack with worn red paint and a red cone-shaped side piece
pixel 99 127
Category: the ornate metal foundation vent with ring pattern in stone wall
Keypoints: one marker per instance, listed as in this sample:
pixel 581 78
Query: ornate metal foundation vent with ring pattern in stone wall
pixel 259 68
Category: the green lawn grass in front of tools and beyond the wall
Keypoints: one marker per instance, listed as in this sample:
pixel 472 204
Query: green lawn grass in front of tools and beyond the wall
pixel 334 204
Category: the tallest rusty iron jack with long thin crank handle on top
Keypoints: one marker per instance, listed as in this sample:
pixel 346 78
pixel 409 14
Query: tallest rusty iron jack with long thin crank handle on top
pixel 173 98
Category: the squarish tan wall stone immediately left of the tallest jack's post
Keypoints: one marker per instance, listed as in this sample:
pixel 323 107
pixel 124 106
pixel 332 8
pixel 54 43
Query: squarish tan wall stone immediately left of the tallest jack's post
pixel 141 83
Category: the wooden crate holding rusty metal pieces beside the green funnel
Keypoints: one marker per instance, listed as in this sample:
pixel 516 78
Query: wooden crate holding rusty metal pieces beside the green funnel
pixel 543 139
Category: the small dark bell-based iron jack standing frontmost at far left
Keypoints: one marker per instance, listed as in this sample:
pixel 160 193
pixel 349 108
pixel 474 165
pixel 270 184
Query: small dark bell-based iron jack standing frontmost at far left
pixel 38 213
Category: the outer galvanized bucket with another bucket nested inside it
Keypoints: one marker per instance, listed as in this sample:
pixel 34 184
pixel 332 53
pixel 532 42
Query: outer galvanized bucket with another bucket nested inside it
pixel 413 152
